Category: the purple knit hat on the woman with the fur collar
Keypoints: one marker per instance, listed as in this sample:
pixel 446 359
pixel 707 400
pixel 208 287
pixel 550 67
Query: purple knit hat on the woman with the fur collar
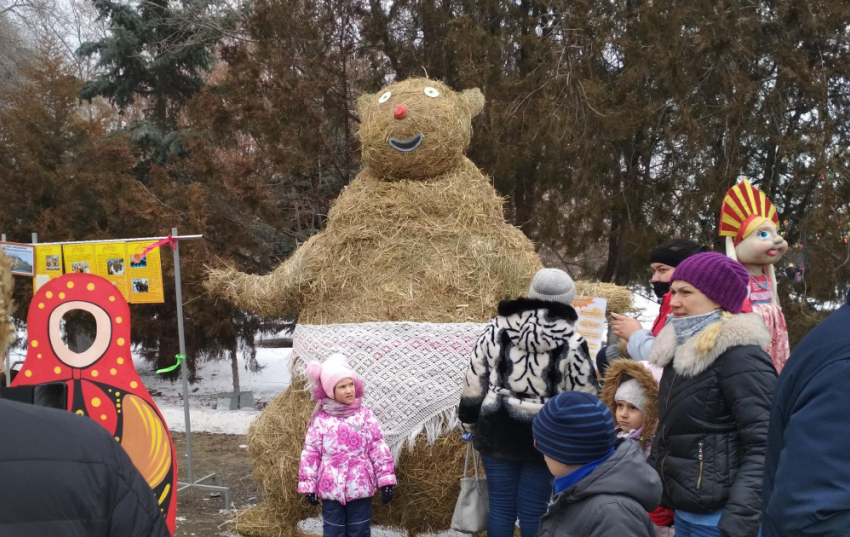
pixel 720 278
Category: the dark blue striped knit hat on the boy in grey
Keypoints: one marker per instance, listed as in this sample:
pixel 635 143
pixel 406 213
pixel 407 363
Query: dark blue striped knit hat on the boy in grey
pixel 574 428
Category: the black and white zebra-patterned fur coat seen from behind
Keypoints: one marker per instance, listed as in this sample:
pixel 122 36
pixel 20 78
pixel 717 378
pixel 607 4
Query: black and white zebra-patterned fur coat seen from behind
pixel 528 354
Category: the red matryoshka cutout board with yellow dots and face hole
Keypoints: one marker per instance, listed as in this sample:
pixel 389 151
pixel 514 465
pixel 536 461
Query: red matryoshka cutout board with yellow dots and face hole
pixel 102 381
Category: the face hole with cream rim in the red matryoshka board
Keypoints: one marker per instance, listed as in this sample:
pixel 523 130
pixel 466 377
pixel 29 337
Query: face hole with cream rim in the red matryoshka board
pixel 83 348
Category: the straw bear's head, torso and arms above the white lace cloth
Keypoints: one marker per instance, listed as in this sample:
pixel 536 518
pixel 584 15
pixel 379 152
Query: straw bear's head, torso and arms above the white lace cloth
pixel 418 235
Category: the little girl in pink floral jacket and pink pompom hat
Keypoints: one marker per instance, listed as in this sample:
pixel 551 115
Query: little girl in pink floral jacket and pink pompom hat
pixel 345 459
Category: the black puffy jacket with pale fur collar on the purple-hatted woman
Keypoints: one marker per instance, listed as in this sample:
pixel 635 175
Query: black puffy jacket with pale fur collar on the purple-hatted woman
pixel 714 407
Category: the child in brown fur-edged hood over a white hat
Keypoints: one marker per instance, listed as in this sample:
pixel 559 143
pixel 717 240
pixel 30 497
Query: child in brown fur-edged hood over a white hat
pixel 631 392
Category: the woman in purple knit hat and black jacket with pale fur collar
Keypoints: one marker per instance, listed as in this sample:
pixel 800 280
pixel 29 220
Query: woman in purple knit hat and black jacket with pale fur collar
pixel 714 401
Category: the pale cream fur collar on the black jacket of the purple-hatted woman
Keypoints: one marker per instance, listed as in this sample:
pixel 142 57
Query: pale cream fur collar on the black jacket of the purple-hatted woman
pixel 688 360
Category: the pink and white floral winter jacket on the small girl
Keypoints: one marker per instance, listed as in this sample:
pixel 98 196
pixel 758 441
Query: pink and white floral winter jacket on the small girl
pixel 345 459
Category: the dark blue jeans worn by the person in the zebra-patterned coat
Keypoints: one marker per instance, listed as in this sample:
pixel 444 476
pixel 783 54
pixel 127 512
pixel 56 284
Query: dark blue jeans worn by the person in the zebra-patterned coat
pixel 516 489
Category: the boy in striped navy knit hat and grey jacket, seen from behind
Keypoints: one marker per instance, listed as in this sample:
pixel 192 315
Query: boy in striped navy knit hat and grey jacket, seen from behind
pixel 599 491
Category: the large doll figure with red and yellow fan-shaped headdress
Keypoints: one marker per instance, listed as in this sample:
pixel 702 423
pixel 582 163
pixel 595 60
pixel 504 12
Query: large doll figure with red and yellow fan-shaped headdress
pixel 750 224
